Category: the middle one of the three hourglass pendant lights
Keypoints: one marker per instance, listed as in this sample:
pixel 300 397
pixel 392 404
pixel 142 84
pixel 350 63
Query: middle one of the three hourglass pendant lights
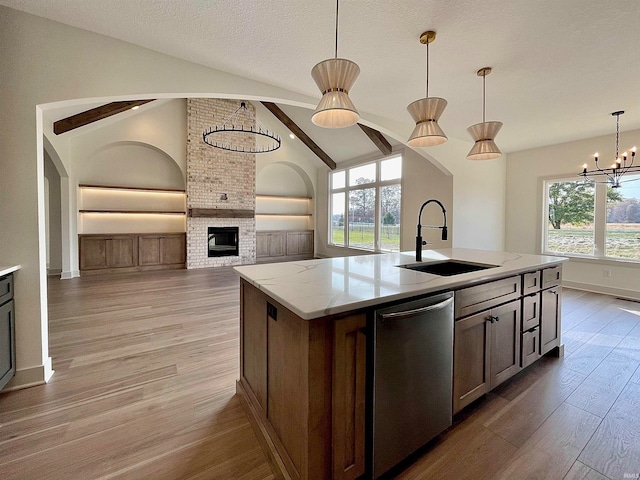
pixel 427 111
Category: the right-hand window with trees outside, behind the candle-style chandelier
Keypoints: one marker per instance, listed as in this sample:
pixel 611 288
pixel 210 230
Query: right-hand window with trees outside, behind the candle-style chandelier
pixel 593 220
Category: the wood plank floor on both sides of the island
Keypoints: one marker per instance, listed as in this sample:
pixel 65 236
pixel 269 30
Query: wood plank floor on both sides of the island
pixel 144 388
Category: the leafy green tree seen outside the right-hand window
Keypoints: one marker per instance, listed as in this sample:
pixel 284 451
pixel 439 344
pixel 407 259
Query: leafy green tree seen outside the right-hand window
pixel 573 202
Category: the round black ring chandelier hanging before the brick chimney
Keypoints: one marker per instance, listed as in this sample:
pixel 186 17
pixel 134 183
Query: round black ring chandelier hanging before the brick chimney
pixel 266 141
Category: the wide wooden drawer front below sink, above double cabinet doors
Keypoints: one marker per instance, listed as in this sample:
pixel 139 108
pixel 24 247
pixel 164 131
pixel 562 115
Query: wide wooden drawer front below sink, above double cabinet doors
pixel 482 297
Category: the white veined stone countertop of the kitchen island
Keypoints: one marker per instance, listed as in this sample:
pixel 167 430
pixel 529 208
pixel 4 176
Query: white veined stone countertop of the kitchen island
pixel 317 288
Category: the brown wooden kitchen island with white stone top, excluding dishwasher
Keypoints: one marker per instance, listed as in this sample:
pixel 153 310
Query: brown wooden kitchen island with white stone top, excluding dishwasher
pixel 303 342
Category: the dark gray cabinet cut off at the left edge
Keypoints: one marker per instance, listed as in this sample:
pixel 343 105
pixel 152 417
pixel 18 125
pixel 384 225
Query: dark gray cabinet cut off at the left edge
pixel 7 331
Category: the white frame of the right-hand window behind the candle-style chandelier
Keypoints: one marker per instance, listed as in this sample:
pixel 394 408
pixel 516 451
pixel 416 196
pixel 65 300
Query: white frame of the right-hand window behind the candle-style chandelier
pixel 599 223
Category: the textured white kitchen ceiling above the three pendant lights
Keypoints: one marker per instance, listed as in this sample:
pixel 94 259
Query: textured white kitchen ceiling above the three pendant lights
pixel 560 67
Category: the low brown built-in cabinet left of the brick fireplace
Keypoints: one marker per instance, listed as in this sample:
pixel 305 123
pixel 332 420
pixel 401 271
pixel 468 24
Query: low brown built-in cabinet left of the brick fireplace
pixel 131 252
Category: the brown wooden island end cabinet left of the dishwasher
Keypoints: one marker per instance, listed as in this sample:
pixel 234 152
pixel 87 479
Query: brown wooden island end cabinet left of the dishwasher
pixel 303 383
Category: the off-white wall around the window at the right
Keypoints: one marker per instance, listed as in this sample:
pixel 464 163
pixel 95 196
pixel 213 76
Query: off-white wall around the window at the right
pixel 524 202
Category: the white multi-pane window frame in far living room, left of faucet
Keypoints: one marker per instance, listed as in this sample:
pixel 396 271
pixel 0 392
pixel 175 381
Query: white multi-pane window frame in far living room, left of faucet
pixel 377 185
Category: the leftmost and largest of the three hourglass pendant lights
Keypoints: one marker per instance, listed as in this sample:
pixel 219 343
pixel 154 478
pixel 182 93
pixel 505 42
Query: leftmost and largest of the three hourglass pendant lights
pixel 334 78
